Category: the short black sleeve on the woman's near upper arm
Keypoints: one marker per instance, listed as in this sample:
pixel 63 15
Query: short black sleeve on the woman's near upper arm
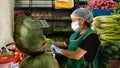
pixel 90 43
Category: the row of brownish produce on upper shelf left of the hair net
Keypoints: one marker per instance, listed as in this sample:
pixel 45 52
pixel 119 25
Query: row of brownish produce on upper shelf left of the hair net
pixel 50 15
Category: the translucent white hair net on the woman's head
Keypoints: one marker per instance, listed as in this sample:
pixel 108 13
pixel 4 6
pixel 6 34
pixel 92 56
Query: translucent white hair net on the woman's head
pixel 82 13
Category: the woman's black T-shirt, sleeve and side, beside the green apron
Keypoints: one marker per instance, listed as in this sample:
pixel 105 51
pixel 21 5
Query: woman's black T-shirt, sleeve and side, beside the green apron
pixel 91 44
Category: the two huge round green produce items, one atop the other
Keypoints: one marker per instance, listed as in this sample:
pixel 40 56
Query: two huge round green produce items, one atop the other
pixel 31 41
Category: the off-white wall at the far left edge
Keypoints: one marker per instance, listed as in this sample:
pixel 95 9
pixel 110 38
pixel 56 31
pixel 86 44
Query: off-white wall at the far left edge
pixel 6 21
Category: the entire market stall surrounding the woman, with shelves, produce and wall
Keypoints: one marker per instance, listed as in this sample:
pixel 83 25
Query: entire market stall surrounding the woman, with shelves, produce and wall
pixel 37 23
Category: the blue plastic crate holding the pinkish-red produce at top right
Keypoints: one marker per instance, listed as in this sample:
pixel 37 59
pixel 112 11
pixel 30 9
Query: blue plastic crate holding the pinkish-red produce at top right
pixel 101 12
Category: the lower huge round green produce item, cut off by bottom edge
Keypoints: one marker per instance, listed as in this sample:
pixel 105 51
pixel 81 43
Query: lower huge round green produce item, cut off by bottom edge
pixel 40 61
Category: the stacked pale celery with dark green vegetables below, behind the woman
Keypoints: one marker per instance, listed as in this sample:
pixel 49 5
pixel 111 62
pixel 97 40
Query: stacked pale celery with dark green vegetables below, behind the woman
pixel 108 29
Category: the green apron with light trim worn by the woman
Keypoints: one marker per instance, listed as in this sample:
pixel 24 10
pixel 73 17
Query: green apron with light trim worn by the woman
pixel 74 44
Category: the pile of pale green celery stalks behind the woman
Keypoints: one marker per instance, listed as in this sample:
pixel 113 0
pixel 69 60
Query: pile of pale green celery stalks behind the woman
pixel 108 28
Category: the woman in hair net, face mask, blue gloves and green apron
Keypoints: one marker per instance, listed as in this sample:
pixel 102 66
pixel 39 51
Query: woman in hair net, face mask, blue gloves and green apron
pixel 83 44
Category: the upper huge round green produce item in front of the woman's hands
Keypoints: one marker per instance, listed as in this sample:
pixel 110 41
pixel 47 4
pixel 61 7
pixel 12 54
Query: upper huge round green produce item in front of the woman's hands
pixel 29 37
